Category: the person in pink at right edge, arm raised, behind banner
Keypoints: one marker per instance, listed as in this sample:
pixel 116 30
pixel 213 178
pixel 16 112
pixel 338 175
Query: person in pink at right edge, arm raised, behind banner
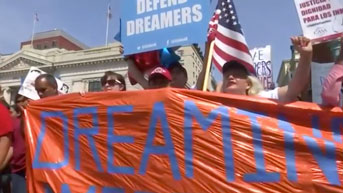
pixel 333 83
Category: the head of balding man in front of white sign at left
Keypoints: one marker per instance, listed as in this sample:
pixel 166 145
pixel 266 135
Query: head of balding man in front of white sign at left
pixel 46 85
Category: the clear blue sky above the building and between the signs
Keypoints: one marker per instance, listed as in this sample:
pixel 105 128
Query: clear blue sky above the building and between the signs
pixel 264 22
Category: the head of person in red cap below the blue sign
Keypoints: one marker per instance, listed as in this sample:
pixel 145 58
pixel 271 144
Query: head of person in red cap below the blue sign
pixel 159 78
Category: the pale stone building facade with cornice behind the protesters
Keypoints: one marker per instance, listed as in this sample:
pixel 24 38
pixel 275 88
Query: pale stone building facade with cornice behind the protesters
pixel 81 70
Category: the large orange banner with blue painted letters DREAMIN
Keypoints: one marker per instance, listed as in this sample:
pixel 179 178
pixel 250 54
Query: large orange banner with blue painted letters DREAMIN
pixel 181 141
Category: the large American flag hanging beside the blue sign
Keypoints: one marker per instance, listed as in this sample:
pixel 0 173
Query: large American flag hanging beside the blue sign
pixel 229 41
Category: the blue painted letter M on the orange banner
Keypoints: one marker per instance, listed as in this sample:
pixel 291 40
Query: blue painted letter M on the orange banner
pixel 191 111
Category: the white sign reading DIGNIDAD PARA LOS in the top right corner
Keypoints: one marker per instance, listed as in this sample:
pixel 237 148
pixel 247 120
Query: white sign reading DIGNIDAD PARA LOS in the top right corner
pixel 320 19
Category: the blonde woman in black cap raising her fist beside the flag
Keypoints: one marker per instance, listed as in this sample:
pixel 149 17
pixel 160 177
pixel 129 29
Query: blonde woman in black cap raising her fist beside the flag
pixel 238 80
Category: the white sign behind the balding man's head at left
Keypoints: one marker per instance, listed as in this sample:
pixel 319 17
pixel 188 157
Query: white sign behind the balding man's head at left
pixel 28 90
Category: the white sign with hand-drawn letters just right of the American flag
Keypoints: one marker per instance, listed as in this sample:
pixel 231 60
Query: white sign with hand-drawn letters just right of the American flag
pixel 263 65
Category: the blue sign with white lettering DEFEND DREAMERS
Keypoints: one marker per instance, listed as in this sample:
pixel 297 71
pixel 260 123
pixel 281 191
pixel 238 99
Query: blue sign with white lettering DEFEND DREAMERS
pixel 155 24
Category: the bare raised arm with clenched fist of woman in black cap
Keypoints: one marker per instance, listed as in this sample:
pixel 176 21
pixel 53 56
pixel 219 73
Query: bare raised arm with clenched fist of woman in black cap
pixel 301 78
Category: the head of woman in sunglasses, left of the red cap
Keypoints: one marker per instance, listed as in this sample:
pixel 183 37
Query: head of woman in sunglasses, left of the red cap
pixel 112 81
